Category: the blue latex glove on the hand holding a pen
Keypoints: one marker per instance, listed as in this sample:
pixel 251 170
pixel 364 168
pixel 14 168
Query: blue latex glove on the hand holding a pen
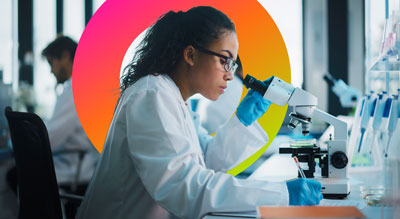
pixel 304 192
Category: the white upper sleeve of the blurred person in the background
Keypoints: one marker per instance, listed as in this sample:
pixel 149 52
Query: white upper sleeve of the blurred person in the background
pixel 64 120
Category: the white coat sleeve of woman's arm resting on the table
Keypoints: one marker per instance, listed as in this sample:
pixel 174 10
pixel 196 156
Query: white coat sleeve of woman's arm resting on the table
pixel 170 166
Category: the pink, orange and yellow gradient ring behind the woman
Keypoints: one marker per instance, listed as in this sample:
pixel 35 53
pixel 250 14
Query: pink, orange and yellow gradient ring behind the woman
pixel 117 23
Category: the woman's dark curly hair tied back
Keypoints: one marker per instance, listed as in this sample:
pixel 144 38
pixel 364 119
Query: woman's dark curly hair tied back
pixel 163 44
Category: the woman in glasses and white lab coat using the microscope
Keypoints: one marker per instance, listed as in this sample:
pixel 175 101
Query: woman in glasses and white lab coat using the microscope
pixel 152 156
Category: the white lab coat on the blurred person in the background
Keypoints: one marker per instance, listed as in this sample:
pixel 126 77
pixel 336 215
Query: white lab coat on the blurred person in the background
pixel 65 133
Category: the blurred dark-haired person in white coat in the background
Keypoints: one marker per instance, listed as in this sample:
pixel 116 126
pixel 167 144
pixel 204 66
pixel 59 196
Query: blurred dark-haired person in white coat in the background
pixel 64 128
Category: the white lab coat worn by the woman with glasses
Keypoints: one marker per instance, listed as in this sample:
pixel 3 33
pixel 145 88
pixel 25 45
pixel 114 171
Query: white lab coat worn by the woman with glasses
pixel 152 155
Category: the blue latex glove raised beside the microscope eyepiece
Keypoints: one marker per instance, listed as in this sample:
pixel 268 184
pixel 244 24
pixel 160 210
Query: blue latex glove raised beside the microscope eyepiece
pixel 252 107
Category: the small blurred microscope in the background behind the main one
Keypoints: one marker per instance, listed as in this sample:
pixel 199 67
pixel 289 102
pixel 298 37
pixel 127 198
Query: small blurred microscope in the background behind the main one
pixel 348 96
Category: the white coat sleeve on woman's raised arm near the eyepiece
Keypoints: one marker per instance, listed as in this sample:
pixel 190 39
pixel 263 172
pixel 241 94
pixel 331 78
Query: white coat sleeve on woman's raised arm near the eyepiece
pixel 233 143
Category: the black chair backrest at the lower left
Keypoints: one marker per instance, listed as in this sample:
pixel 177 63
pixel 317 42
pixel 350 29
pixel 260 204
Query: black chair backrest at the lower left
pixel 37 184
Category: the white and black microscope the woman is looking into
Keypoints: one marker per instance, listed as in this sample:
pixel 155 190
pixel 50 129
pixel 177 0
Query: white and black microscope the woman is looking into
pixel 333 160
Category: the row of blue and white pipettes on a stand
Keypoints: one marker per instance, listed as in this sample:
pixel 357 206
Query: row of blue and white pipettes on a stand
pixel 377 117
